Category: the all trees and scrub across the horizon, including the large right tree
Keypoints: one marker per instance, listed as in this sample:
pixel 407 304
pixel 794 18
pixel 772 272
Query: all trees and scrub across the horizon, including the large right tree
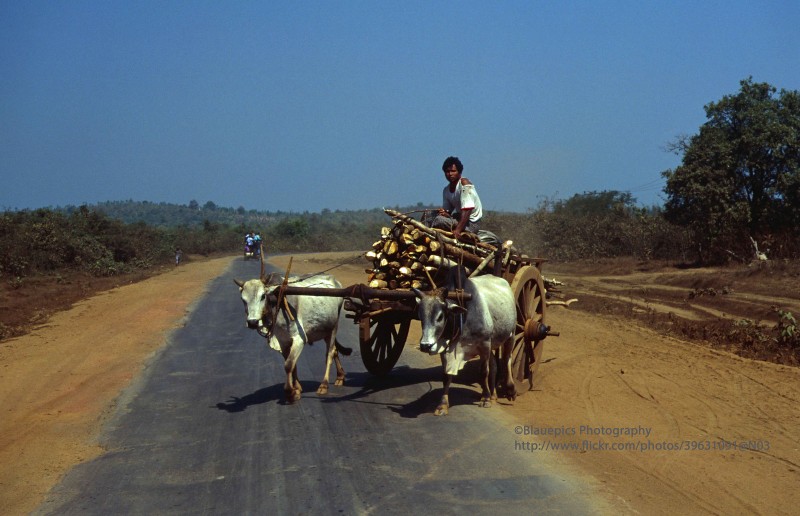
pixel 734 198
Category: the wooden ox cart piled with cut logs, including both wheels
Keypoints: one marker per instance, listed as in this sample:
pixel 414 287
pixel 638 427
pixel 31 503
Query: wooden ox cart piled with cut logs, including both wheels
pixel 384 309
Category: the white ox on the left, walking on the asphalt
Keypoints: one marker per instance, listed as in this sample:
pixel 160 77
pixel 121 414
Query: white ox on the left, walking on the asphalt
pixel 298 321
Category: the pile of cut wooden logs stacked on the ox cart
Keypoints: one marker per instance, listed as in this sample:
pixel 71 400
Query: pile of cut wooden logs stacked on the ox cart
pixel 412 255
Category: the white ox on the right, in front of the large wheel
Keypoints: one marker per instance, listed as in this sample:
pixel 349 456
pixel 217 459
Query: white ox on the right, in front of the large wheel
pixel 486 323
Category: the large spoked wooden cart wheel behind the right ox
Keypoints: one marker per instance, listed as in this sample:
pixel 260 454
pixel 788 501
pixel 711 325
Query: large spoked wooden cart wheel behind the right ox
pixel 527 353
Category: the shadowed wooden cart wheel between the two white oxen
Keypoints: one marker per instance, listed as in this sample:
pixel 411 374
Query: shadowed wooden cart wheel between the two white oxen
pixel 382 339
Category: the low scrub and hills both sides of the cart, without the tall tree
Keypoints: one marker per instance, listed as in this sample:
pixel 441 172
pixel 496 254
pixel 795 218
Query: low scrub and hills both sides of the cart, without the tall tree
pixel 590 225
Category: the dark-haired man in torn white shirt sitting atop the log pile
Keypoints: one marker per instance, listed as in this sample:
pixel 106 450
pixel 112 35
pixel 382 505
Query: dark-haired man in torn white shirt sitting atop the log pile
pixel 461 207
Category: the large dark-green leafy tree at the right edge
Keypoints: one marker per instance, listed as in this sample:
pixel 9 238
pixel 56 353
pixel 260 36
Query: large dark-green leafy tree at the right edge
pixel 740 174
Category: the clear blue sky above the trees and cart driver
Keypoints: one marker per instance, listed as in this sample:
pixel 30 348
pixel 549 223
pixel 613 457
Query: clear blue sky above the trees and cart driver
pixel 311 105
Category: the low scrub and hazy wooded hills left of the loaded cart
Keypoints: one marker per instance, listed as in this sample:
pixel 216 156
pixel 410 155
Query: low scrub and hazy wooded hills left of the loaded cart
pixel 99 240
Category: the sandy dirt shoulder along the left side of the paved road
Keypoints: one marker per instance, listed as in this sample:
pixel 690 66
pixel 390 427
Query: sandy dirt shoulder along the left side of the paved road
pixel 59 382
